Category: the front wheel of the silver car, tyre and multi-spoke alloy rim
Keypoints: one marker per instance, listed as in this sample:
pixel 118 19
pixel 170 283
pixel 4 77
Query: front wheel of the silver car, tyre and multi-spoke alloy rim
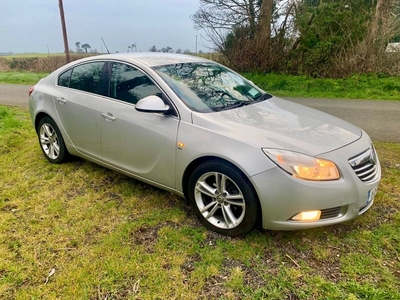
pixel 223 198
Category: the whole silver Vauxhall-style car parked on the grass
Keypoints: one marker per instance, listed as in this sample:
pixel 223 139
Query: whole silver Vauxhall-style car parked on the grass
pixel 242 157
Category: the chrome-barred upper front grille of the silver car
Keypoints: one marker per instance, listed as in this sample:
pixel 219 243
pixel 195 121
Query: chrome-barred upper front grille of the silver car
pixel 365 165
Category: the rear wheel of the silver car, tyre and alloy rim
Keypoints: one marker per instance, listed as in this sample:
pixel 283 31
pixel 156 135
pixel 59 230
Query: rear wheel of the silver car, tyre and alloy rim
pixel 51 141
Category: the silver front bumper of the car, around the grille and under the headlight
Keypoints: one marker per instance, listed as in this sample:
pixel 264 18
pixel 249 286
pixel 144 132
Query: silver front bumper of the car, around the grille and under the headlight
pixel 283 196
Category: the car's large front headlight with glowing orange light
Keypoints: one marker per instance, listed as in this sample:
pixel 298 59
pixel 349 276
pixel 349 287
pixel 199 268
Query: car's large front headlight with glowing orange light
pixel 303 166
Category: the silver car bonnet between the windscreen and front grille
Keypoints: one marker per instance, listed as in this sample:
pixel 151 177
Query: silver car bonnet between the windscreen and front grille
pixel 281 124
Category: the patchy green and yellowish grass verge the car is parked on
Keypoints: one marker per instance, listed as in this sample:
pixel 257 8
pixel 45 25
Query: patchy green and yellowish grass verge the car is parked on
pixel 79 231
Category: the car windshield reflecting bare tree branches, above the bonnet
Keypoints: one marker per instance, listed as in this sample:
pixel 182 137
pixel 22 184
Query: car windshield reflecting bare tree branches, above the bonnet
pixel 206 87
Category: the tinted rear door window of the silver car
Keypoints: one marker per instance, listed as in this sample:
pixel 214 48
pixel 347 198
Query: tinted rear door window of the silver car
pixel 87 77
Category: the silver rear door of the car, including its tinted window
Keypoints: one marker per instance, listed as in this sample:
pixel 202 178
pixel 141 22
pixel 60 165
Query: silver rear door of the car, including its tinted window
pixel 77 102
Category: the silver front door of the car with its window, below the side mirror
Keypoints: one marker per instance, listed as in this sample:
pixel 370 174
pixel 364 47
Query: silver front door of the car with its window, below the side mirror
pixel 141 143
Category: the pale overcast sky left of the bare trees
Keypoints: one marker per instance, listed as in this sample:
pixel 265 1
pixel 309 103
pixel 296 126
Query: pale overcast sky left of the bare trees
pixel 35 26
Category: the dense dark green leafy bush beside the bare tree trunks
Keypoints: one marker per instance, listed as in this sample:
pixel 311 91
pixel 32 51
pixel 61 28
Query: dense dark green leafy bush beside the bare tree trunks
pixel 326 30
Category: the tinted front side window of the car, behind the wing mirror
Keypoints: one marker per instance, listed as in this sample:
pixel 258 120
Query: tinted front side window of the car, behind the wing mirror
pixel 130 85
